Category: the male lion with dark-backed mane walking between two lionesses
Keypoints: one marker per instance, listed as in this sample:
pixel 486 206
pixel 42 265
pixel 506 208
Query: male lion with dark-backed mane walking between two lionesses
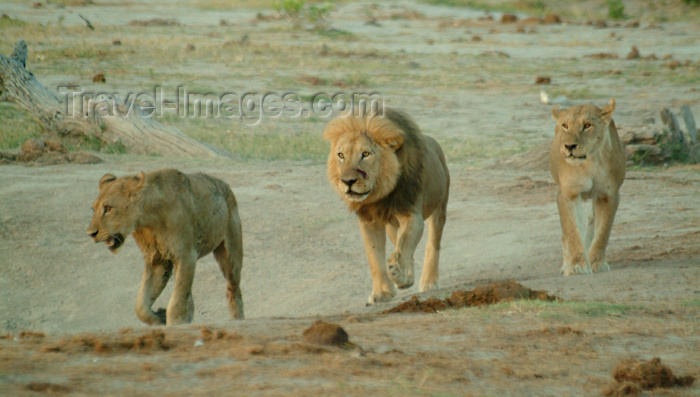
pixel 393 177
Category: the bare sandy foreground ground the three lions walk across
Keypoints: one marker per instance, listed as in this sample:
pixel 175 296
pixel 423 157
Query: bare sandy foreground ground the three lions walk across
pixel 304 260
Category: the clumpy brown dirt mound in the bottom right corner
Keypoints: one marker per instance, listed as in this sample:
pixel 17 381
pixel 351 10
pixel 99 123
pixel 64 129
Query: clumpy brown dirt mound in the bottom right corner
pixel 633 375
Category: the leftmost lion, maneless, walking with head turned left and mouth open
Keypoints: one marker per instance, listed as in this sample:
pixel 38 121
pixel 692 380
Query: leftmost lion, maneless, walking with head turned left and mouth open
pixel 175 219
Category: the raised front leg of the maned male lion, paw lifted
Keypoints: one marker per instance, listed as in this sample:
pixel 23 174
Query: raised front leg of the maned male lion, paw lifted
pixel 400 265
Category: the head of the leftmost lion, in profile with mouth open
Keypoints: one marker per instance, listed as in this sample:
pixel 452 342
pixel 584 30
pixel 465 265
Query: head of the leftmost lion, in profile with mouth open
pixel 116 210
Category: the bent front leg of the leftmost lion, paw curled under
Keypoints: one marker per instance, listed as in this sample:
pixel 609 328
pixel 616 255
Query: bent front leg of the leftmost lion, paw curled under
pixel 156 274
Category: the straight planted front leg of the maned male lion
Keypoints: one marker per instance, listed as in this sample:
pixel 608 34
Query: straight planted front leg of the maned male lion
pixel 374 237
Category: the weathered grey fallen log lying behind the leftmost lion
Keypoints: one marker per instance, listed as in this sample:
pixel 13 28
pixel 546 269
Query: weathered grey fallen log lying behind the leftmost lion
pixel 138 134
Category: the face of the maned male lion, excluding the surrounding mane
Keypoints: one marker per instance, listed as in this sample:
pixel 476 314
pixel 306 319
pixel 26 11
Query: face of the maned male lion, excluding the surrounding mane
pixel 358 160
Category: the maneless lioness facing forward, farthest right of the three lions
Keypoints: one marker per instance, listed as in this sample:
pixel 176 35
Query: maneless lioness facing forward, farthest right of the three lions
pixel 587 161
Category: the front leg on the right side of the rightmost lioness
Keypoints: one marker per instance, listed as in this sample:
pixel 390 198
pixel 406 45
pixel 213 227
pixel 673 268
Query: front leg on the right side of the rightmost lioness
pixel 604 208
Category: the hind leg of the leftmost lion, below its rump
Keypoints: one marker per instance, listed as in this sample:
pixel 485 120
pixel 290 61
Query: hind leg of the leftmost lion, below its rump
pixel 229 256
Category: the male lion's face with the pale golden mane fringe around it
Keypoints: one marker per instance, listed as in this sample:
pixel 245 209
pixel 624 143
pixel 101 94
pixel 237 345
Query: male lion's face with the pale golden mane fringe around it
pixel 362 164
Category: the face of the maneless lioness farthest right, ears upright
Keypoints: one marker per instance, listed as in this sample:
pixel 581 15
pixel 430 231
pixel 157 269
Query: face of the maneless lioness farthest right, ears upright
pixel 582 130
